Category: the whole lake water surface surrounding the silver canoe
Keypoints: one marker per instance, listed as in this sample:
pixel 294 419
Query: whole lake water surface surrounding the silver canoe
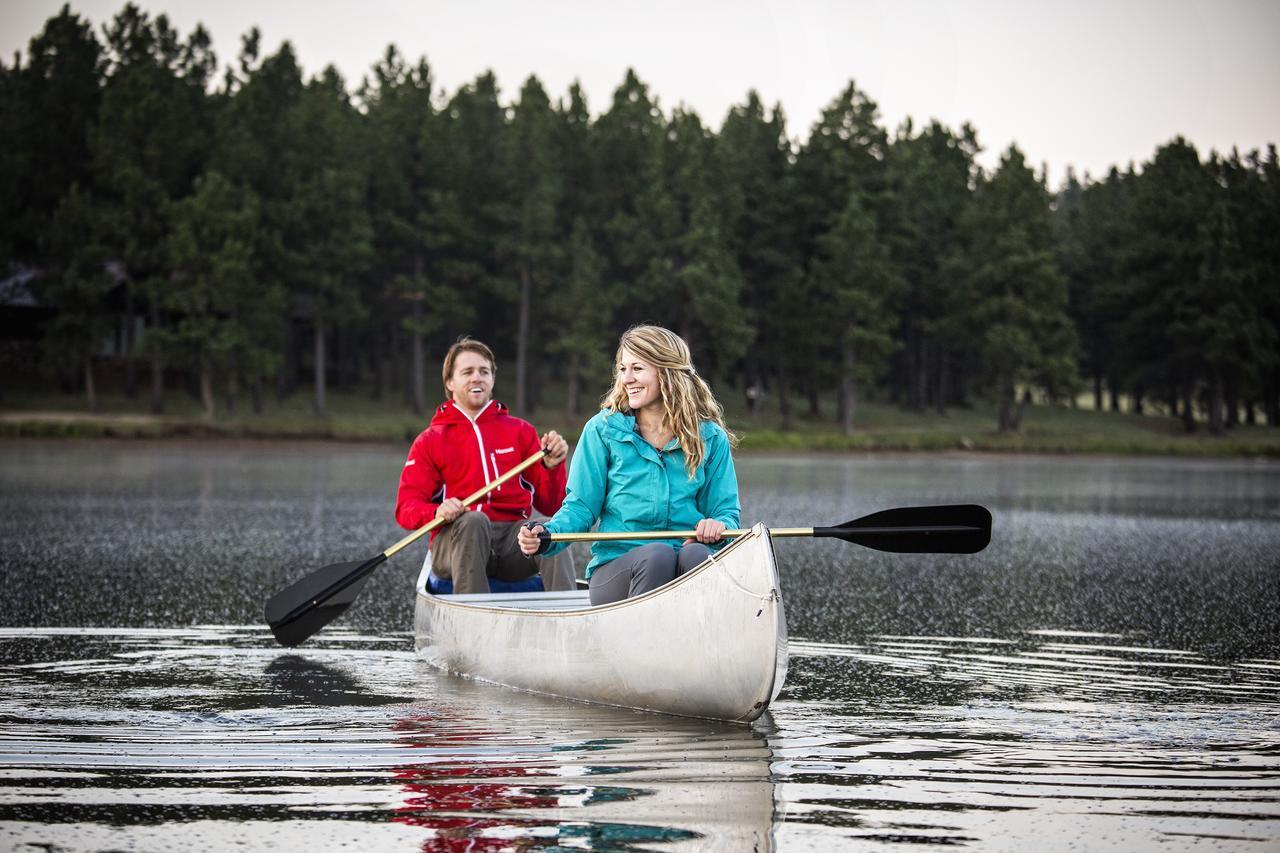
pixel 1107 676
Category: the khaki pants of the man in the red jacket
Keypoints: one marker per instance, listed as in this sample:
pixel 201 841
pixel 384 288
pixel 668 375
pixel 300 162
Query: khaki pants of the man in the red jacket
pixel 473 549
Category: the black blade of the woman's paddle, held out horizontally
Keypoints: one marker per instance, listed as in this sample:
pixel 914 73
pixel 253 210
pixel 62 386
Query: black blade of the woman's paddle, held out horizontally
pixel 962 528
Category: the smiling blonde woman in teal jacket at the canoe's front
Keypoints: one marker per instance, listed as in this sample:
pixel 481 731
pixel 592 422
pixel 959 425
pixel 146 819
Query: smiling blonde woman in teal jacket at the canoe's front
pixel 656 458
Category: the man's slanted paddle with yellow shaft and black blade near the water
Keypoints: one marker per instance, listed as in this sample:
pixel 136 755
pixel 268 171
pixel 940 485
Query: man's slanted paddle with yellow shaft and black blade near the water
pixel 300 610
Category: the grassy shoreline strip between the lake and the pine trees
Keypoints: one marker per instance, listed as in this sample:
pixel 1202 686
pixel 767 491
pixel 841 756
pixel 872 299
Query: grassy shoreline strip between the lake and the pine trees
pixel 1046 430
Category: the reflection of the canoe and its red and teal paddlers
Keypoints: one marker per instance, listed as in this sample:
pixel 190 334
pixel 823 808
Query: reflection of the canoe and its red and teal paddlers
pixel 509 770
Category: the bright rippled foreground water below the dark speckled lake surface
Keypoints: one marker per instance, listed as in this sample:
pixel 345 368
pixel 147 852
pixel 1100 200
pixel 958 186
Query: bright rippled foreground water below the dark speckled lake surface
pixel 111 736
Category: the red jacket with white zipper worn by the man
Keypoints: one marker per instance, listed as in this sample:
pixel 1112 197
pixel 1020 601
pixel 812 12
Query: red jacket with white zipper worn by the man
pixel 456 458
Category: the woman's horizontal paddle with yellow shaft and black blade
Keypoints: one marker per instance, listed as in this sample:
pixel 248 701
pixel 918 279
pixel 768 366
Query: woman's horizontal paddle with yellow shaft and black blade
pixel 962 528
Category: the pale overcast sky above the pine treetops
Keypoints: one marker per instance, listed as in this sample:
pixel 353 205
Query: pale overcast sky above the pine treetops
pixel 1084 85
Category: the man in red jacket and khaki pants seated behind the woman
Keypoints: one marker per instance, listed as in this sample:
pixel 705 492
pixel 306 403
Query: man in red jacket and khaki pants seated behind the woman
pixel 472 443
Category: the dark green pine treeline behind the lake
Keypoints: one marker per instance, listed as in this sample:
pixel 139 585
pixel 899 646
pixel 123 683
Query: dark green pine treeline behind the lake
pixel 254 231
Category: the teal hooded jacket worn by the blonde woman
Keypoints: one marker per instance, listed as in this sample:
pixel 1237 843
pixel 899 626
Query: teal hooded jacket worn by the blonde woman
pixel 619 480
